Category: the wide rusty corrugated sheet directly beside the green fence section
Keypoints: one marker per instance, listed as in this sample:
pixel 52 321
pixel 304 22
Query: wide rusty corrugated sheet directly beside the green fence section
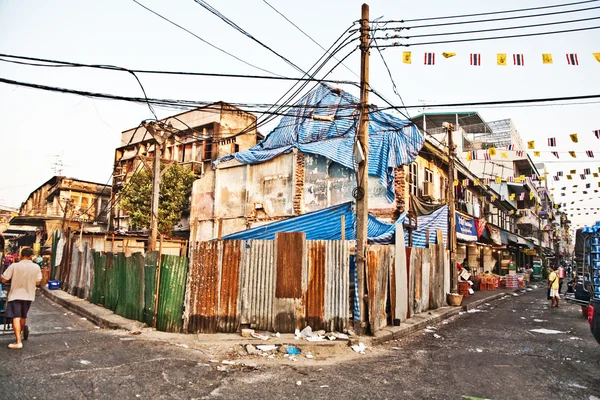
pixel 202 302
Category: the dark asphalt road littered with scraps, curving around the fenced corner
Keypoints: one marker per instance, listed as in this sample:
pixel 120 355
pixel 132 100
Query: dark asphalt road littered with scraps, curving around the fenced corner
pixel 491 353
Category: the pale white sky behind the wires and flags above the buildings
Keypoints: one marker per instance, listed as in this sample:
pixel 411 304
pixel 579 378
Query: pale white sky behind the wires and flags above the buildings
pixel 37 125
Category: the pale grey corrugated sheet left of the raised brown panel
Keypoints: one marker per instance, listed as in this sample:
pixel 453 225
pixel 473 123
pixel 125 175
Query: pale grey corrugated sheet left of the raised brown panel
pixel 258 284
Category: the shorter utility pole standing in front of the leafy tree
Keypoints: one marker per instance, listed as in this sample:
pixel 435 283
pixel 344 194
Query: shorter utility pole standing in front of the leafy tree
pixel 161 133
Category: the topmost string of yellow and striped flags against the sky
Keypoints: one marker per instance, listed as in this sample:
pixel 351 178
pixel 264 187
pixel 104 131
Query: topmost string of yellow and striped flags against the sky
pixel 502 59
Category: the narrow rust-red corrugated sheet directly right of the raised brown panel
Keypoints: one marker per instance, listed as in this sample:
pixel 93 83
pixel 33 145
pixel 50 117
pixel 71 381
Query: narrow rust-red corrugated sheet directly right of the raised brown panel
pixel 315 293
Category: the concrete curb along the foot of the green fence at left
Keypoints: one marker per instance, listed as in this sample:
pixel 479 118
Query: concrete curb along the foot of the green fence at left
pixel 100 316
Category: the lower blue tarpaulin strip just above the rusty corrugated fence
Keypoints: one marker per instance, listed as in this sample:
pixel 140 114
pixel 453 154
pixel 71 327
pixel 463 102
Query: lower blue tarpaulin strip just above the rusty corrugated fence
pixel 326 225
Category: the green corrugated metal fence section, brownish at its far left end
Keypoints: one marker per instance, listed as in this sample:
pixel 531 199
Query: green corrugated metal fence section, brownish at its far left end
pixel 126 284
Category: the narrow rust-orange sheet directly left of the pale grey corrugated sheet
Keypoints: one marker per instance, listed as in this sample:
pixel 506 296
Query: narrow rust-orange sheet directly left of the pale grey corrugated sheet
pixel 228 319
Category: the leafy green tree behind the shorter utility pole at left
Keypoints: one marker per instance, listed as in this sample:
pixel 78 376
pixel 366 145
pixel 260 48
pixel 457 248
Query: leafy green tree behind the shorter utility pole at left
pixel 175 190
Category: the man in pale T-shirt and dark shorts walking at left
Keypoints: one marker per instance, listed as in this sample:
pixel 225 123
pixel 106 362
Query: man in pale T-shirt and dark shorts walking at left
pixel 24 276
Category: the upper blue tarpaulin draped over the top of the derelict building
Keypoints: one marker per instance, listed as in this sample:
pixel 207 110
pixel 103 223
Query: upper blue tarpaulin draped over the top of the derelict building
pixel 392 141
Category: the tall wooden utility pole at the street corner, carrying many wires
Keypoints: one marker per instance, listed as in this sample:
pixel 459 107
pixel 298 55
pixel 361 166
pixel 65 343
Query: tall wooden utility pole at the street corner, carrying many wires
pixel 362 184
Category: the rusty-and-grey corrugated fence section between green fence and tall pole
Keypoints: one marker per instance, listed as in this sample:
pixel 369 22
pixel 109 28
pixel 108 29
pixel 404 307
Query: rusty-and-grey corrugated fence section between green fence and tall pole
pixel 279 285
